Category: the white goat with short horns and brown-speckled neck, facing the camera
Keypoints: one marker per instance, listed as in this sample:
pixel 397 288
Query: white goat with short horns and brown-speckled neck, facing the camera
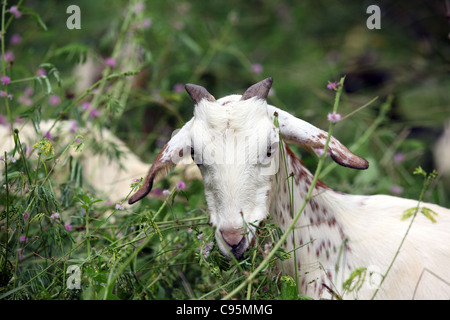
pixel 236 146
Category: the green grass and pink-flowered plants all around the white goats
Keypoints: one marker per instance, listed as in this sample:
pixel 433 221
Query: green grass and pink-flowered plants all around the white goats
pixel 61 239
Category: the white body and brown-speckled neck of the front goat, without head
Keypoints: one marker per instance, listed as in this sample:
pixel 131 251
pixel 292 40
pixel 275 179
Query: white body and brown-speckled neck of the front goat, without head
pixel 340 233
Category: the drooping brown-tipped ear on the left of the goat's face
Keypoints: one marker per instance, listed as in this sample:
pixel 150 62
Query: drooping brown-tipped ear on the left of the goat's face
pixel 177 148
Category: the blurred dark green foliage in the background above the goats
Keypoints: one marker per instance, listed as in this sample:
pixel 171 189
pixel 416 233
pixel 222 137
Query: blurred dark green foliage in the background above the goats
pixel 228 45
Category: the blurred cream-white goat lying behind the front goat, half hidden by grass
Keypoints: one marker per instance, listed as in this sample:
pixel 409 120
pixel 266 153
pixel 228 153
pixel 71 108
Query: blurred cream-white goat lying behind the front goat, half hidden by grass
pixel 108 177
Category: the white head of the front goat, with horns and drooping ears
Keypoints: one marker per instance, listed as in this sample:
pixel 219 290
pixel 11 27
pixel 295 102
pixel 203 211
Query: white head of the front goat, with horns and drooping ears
pixel 235 144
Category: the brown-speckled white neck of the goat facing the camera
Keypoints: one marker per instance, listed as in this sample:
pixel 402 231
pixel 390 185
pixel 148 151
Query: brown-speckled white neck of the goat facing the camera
pixel 320 233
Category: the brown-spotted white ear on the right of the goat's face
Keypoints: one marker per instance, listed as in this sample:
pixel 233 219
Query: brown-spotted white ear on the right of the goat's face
pixel 294 130
